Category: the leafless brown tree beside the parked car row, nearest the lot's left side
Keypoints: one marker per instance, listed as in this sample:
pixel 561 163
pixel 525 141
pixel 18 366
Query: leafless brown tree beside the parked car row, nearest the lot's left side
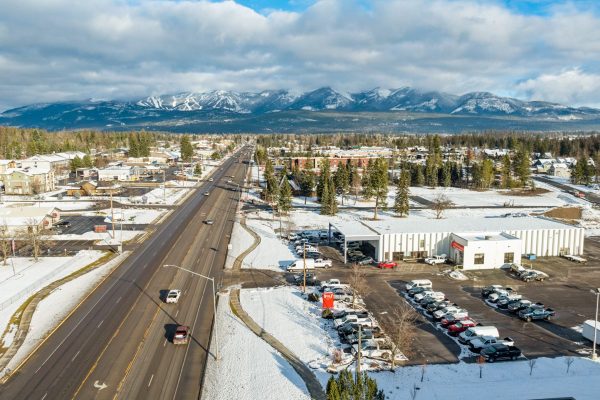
pixel 400 327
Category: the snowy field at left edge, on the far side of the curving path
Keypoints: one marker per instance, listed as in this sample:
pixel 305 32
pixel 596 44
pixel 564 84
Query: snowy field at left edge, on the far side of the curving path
pixel 31 276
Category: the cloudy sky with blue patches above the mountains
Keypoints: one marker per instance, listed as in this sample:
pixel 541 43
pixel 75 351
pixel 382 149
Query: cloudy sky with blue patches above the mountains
pixel 60 50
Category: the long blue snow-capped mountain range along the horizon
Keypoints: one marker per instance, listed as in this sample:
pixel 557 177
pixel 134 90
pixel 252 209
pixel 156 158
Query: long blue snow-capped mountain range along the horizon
pixel 215 107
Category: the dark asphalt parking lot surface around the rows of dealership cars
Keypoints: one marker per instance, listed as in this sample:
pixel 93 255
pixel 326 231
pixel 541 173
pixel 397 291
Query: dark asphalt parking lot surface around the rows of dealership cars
pixel 567 291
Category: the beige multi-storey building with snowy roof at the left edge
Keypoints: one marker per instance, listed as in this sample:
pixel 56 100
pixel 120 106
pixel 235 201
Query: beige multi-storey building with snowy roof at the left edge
pixel 28 181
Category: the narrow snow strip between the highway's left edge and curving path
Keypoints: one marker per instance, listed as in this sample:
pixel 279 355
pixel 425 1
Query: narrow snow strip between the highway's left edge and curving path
pixel 54 308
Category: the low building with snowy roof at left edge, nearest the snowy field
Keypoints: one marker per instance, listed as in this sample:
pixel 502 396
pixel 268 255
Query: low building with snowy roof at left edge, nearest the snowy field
pixel 17 219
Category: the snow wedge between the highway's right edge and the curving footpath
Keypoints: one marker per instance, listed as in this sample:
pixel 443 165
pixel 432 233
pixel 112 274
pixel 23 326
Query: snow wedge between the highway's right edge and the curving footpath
pixel 249 368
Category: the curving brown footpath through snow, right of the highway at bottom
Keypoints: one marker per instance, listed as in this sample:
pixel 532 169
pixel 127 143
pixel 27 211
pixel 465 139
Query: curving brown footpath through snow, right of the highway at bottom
pixel 312 384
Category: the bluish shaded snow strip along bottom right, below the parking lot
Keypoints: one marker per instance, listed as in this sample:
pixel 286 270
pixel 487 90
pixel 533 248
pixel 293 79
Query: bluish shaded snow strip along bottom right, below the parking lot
pixel 502 380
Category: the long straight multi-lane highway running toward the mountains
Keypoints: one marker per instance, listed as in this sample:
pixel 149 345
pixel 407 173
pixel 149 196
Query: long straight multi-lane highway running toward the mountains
pixel 116 344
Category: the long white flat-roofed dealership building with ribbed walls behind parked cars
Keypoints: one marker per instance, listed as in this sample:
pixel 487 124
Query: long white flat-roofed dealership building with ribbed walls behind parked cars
pixel 474 242
